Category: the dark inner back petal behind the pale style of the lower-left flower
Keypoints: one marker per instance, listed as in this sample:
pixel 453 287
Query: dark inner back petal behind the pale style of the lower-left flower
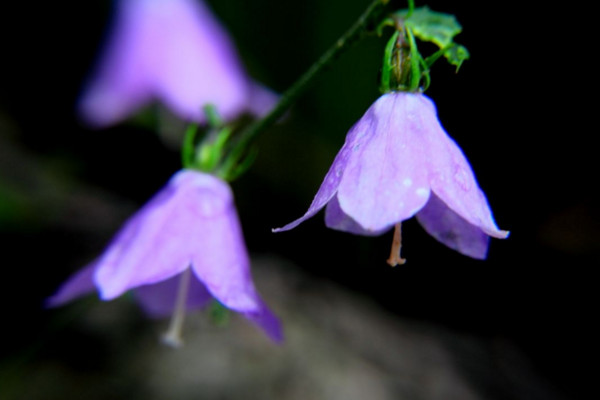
pixel 158 300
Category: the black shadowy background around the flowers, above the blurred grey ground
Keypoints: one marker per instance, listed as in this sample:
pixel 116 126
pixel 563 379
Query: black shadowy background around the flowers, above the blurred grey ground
pixel 523 133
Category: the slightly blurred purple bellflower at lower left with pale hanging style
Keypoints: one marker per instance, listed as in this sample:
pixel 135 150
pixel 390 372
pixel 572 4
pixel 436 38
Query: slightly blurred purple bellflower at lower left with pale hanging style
pixel 179 251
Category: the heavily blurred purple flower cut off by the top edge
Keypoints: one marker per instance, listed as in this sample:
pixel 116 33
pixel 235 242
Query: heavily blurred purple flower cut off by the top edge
pixel 174 51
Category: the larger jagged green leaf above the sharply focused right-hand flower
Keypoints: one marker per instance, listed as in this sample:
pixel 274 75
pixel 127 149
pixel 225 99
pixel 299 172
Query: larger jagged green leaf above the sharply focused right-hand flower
pixel 432 26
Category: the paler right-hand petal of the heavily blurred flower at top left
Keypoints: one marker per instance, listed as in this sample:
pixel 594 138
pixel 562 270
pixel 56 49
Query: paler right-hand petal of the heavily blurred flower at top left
pixel 198 63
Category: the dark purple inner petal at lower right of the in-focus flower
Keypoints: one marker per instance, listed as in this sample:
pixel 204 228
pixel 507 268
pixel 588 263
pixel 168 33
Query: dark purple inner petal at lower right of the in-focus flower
pixel 449 228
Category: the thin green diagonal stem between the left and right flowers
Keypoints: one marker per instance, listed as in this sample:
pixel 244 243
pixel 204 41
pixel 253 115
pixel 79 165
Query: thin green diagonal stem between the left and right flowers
pixel 287 99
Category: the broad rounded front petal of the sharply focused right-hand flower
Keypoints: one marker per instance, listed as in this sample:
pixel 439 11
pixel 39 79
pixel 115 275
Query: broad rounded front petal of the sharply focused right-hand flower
pixel 385 181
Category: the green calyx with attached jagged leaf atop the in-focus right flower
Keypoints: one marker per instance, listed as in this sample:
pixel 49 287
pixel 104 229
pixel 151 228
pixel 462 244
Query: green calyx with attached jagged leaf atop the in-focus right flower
pixel 404 68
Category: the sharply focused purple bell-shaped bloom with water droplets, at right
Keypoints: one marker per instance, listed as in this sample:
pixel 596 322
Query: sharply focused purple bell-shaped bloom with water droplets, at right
pixel 398 161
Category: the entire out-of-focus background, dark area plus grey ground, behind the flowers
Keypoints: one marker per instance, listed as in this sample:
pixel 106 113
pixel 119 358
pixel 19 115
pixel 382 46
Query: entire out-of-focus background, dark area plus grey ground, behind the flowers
pixel 443 326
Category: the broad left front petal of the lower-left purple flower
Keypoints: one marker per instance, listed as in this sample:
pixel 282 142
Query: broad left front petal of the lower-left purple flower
pixel 161 239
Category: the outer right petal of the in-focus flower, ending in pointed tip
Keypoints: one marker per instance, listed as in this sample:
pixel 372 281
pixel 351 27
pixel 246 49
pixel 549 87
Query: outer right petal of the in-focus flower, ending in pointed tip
pixel 450 175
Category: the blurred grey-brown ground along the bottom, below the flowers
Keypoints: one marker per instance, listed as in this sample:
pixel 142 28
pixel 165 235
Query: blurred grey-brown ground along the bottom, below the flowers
pixel 339 345
